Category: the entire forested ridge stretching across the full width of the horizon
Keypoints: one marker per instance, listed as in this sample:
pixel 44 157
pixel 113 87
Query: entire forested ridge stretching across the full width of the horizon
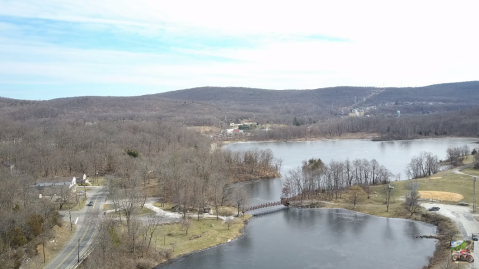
pixel 220 105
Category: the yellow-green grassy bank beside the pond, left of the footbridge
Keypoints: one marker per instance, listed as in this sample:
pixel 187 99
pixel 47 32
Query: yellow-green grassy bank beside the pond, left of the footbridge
pixel 201 235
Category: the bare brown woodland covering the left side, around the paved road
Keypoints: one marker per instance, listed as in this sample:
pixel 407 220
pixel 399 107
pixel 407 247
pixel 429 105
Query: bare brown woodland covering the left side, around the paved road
pixel 138 159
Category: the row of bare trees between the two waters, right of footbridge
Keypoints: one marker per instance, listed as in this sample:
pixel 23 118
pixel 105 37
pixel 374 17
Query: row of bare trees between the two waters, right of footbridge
pixel 315 178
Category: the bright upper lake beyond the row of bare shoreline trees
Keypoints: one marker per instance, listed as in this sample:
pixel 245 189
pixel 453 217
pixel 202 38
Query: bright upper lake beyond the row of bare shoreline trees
pixel 394 155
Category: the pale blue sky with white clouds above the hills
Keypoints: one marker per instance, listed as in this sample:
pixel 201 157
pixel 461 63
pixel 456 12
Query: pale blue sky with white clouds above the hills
pixel 63 48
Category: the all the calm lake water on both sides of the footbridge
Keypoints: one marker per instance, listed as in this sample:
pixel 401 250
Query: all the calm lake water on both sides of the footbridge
pixel 322 238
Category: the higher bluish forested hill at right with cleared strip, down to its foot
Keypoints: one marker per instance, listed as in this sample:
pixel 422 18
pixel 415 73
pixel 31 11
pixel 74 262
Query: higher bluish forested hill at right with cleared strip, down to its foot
pixel 335 101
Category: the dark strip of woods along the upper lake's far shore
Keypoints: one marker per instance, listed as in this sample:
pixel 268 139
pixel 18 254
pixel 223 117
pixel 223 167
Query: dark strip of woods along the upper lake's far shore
pixel 464 123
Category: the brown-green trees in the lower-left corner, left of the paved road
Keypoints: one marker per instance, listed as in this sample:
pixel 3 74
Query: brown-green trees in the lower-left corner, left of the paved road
pixel 26 221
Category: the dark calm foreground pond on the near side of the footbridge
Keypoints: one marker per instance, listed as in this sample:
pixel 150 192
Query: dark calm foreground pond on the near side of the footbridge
pixel 319 238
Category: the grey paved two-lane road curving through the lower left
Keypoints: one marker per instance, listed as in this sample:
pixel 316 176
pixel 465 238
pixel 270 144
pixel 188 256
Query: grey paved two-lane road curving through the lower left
pixel 86 226
